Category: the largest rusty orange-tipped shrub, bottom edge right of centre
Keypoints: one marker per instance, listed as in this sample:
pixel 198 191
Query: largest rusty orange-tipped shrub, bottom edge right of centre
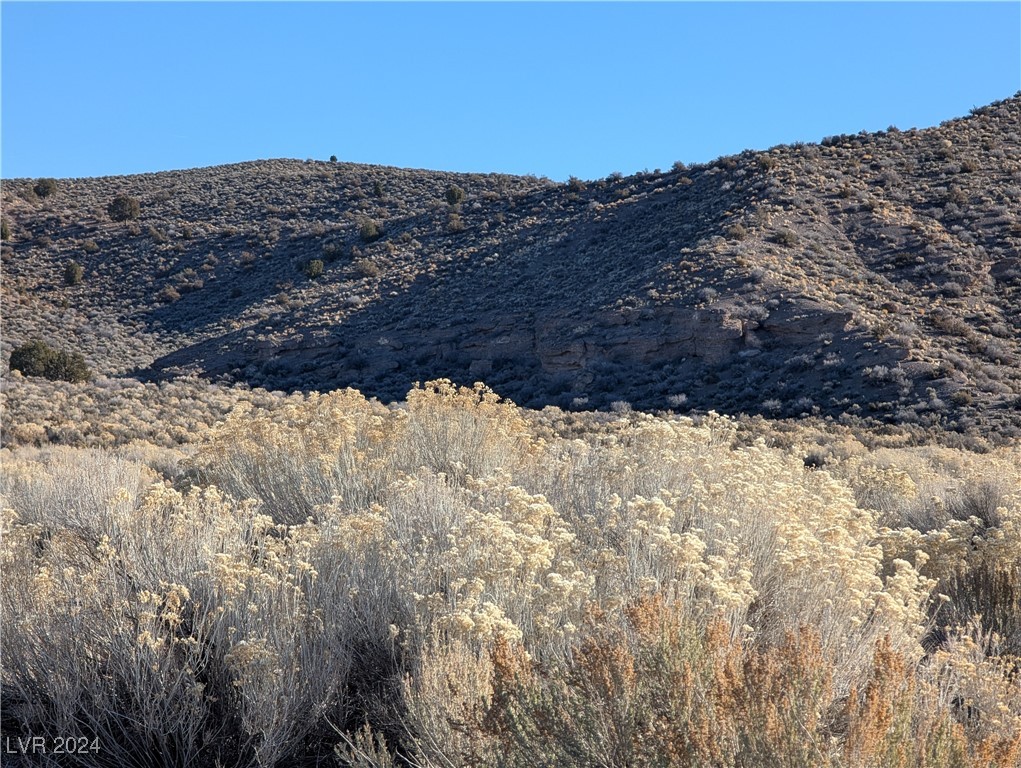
pixel 656 693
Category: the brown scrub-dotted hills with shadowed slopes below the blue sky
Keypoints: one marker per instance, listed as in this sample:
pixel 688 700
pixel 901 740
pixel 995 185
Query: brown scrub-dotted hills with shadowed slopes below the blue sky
pixel 874 277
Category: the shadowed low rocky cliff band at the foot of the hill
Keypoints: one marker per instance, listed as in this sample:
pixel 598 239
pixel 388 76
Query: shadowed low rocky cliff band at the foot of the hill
pixel 652 358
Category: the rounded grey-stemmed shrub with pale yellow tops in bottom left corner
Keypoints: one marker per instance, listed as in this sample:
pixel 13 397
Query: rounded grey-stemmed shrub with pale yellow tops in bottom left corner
pixel 191 667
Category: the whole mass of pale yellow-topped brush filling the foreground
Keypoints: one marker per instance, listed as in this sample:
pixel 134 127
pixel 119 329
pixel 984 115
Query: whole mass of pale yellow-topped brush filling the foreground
pixel 435 586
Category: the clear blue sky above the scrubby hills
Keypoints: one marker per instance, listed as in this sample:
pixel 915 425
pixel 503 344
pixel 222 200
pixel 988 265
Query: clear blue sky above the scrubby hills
pixel 525 88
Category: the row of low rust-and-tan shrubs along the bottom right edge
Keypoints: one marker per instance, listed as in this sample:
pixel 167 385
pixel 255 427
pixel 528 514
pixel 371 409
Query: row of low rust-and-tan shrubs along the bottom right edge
pixel 649 689
